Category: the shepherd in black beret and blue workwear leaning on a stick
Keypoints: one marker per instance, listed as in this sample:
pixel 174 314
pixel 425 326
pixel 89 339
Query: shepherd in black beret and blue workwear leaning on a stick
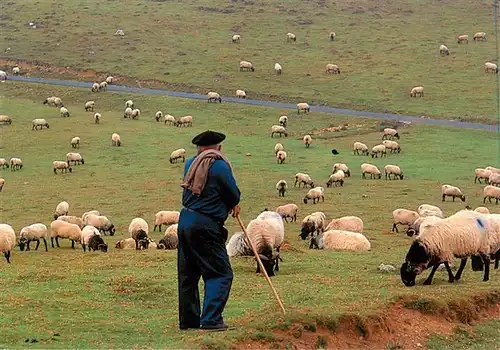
pixel 210 192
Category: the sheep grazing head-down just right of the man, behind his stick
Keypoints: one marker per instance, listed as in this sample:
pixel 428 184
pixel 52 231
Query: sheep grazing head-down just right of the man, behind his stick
pixel 267 232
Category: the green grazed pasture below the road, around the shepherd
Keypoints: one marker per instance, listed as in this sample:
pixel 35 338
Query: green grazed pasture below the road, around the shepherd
pixel 127 299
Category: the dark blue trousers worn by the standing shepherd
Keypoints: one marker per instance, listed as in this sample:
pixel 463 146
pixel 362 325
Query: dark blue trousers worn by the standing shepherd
pixel 202 253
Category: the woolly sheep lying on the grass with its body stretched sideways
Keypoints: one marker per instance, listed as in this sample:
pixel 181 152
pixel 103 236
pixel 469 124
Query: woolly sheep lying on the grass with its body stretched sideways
pixel 342 240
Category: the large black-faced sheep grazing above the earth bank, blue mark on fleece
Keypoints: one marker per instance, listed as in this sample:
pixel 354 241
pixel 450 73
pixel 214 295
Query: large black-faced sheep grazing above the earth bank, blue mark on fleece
pixel 460 235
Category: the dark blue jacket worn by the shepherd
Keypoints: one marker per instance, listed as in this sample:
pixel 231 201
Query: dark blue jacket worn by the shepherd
pixel 219 196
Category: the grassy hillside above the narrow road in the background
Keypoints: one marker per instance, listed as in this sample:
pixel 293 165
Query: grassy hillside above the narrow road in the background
pixel 382 48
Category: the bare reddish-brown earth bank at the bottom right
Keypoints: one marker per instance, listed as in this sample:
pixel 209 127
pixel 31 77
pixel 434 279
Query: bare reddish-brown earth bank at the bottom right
pixel 405 325
